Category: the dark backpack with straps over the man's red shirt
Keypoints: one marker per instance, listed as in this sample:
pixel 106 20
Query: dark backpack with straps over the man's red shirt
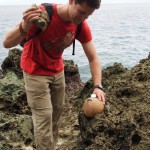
pixel 49 9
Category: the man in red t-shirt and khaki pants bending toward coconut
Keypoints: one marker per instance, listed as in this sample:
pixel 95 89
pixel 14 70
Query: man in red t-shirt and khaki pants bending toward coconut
pixel 43 66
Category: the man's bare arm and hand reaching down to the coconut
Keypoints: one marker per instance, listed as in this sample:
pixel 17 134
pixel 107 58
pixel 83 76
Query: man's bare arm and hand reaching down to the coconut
pixel 95 68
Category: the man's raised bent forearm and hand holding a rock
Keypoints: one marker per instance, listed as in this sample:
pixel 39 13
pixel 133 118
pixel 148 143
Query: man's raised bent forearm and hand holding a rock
pixel 17 34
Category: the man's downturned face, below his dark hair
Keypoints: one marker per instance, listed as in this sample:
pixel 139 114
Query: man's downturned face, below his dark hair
pixel 79 12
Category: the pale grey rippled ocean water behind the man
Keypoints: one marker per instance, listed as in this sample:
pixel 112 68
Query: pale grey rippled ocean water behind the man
pixel 121 33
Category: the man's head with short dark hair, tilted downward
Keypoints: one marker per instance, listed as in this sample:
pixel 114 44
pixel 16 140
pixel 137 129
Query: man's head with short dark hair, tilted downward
pixel 79 10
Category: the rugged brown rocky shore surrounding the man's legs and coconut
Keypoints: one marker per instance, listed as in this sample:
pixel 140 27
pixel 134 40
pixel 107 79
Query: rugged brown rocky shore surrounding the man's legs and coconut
pixel 123 125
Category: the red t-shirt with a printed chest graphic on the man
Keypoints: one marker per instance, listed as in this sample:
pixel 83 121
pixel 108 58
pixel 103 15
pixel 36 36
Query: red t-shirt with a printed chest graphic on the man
pixel 42 55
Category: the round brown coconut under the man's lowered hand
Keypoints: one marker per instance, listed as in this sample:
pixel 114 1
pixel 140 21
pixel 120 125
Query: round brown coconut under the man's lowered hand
pixel 92 106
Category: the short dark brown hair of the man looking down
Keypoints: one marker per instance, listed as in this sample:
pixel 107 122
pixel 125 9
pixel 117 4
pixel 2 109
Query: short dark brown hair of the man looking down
pixel 91 3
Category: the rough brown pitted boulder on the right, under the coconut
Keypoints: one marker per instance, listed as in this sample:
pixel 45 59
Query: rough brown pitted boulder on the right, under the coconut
pixel 125 122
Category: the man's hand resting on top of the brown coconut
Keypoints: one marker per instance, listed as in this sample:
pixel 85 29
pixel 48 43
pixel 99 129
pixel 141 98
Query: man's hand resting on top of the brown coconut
pixel 100 94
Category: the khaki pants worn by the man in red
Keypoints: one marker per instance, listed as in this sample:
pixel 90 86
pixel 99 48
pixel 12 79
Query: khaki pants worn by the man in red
pixel 45 96
